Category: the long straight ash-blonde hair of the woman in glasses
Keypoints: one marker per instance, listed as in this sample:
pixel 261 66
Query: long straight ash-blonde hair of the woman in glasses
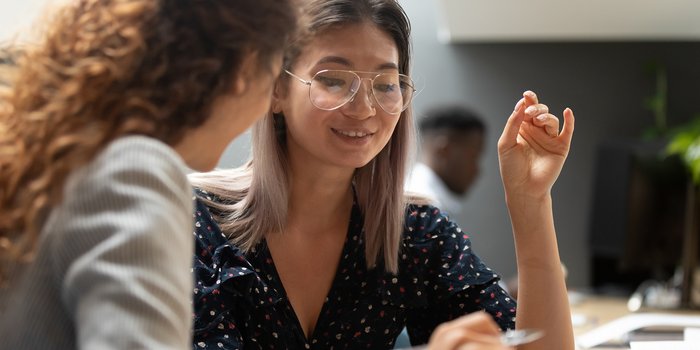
pixel 252 200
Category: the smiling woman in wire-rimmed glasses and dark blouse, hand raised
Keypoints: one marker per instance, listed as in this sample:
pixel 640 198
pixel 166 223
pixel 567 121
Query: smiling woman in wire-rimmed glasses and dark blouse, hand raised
pixel 314 245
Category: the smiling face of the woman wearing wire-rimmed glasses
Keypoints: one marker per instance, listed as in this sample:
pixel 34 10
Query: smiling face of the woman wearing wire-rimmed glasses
pixel 315 136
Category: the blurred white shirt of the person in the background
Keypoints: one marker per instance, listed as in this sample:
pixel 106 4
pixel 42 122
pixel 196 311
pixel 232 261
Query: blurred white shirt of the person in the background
pixel 423 180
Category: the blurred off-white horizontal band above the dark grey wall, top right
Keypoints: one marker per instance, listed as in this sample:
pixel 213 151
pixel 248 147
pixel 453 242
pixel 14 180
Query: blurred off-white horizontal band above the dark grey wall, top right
pixel 567 20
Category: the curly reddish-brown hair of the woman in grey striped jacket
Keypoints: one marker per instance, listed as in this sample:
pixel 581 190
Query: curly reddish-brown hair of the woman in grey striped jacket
pixel 108 68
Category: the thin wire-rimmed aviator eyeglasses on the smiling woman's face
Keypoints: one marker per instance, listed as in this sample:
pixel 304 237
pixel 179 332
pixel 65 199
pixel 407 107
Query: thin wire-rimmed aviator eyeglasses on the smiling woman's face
pixel 332 89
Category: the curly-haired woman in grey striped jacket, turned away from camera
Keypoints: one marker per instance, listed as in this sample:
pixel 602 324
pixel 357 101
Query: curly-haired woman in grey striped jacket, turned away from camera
pixel 98 123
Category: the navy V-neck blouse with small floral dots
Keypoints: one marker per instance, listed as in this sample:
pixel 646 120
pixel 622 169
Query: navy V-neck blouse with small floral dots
pixel 240 303
